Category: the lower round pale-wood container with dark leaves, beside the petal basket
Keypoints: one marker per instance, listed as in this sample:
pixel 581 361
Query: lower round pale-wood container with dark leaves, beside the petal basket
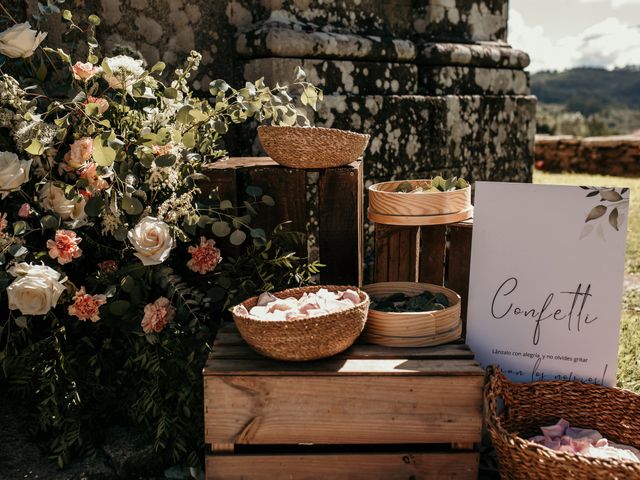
pixel 412 329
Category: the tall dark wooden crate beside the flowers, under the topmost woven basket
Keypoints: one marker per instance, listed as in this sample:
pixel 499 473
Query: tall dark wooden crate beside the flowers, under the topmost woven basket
pixel 326 204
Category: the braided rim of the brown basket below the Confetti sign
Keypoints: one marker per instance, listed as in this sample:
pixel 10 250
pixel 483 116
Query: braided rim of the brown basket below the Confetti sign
pixel 494 377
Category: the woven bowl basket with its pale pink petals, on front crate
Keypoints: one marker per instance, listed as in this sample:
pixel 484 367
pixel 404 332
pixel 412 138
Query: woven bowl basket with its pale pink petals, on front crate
pixel 303 323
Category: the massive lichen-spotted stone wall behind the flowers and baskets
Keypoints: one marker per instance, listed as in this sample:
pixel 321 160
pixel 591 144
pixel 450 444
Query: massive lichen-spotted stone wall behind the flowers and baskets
pixel 433 81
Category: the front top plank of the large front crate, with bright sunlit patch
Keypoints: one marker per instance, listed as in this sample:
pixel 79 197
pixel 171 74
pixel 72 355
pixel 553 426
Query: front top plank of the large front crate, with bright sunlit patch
pixel 344 367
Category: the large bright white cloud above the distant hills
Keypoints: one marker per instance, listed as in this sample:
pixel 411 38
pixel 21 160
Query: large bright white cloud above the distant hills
pixel 608 44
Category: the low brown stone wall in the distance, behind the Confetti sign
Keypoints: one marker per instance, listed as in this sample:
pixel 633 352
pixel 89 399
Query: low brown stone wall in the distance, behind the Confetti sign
pixel 615 155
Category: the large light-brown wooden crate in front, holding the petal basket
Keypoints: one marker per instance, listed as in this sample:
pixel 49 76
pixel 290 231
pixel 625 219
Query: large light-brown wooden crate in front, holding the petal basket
pixel 370 412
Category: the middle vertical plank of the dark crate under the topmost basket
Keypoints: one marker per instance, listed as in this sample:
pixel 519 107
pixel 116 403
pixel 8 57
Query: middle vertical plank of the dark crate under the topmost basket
pixel 288 188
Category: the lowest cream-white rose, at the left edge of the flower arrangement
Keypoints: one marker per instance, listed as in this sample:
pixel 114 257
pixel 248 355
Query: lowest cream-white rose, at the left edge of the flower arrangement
pixel 36 290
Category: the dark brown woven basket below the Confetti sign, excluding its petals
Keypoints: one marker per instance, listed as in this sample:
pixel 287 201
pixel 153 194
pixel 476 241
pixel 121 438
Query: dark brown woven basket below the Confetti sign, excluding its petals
pixel 615 413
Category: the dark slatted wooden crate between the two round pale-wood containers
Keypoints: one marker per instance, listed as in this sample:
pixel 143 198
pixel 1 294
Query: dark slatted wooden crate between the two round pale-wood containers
pixel 438 254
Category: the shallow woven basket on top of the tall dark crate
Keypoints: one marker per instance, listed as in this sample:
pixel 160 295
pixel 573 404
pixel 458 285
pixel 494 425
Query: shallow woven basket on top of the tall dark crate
pixel 311 147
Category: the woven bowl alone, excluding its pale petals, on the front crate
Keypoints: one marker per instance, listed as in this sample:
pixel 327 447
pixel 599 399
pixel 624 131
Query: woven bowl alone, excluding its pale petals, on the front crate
pixel 307 338
